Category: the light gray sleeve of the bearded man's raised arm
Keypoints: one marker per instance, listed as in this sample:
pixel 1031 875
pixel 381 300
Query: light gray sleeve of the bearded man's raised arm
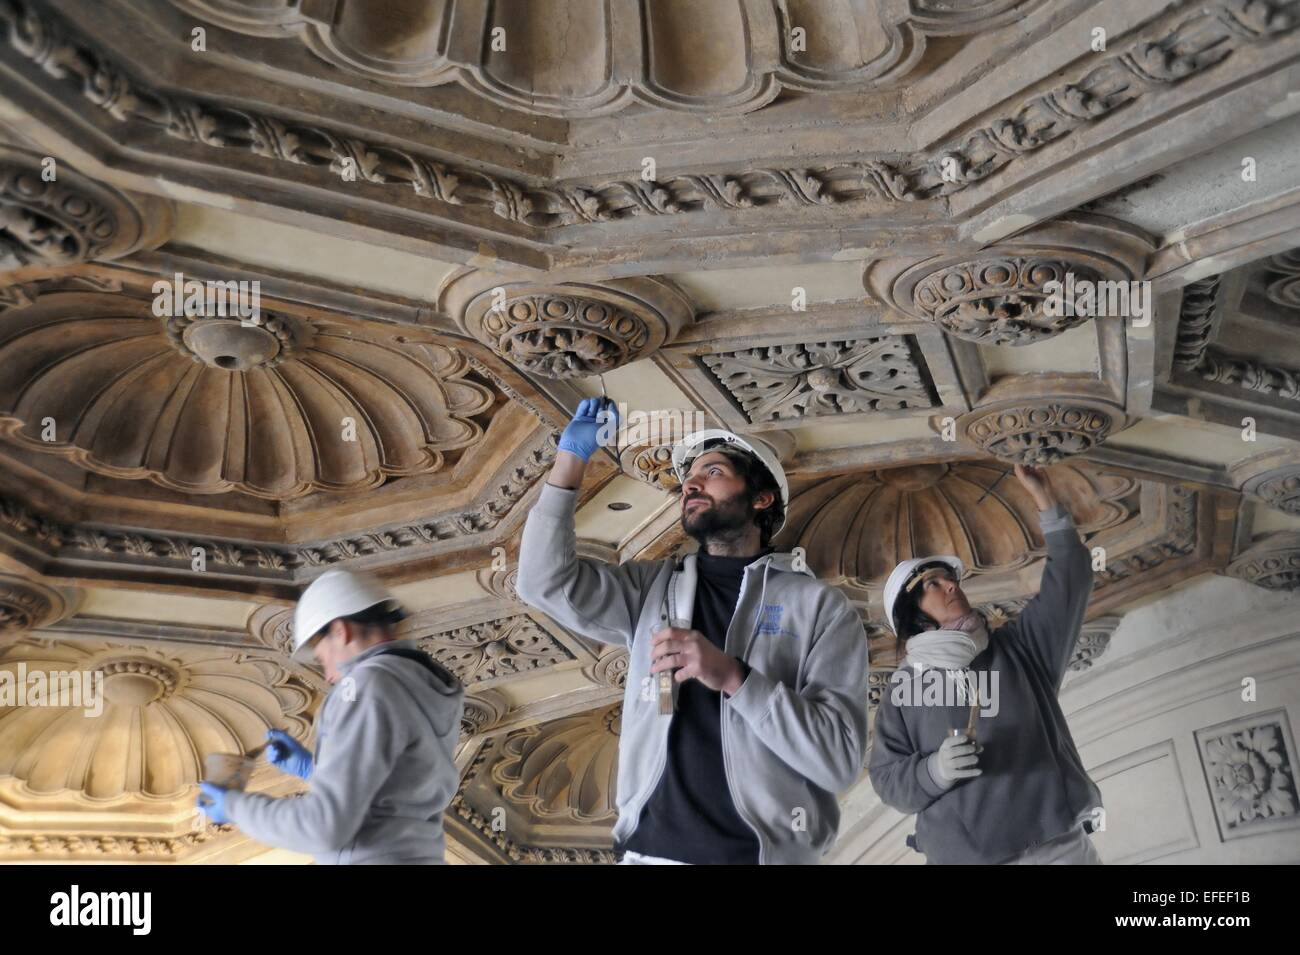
pixel 592 598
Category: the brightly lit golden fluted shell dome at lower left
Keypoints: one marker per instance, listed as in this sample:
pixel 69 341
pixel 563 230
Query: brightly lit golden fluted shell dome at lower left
pixel 164 710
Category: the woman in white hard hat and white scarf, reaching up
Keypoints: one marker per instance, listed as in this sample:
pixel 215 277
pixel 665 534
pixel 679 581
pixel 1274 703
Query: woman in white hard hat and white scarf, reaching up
pixel 970 736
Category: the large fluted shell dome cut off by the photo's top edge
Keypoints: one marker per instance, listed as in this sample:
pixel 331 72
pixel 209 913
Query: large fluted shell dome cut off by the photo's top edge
pixel 723 57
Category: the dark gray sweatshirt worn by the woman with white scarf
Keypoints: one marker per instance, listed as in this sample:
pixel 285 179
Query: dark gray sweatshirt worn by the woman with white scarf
pixel 1034 787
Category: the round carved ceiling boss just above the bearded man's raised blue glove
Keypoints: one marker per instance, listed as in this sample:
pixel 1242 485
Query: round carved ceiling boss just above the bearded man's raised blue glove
pixel 567 331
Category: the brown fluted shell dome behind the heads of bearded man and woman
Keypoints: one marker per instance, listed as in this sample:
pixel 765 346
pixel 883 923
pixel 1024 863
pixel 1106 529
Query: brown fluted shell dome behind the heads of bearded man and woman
pixel 856 528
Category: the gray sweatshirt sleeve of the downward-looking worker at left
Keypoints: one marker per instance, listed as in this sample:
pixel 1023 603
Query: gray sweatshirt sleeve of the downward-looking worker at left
pixel 362 741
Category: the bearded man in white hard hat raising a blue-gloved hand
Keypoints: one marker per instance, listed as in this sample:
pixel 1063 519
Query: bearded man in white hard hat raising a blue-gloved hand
pixel 770 666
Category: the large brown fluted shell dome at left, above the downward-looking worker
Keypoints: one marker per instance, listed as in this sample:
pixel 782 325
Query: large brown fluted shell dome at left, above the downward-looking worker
pixel 276 410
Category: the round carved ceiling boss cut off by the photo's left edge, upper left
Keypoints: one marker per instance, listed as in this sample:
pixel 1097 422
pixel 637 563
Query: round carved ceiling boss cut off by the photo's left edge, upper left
pixel 53 216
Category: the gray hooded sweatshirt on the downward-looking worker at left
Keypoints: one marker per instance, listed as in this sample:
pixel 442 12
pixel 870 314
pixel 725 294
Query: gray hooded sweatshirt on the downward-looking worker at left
pixel 384 769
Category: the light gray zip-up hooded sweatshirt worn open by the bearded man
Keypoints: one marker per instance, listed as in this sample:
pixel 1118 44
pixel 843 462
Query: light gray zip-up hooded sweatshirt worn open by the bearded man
pixel 794 736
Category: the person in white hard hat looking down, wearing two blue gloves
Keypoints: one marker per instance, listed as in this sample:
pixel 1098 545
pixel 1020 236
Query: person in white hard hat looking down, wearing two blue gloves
pixel 384 769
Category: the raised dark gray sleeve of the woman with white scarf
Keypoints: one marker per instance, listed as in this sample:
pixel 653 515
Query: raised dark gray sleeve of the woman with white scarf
pixel 1050 626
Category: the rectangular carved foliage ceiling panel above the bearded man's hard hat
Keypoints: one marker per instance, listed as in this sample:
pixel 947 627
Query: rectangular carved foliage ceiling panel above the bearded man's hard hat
pixel 811 379
